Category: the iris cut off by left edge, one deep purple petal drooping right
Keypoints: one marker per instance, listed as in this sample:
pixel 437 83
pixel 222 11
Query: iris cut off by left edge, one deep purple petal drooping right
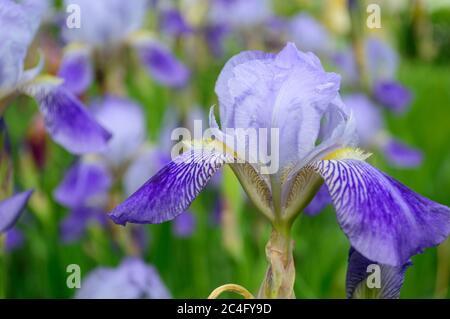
pixel 66 120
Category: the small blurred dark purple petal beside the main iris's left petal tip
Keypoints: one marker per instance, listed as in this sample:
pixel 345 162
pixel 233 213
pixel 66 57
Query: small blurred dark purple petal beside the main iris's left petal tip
pixel 75 224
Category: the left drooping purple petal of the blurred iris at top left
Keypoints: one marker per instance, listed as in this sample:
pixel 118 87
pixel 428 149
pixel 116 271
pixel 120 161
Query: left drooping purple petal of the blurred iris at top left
pixel 76 70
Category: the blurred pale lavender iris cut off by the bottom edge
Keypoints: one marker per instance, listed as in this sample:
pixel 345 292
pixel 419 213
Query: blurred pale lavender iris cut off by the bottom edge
pixel 132 279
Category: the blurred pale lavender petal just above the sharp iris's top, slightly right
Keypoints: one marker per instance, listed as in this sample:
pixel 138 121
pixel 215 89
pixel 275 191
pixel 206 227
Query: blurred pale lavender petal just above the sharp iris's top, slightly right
pixel 309 34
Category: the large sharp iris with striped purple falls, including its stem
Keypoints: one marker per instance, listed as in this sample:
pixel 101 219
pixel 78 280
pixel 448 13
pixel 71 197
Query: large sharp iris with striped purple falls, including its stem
pixel 384 221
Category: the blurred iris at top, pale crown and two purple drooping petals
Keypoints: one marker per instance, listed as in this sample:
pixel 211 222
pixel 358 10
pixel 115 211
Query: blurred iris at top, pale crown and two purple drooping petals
pixel 108 24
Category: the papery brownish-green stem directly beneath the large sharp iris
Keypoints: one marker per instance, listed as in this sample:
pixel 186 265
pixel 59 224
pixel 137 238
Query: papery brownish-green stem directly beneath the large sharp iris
pixel 280 275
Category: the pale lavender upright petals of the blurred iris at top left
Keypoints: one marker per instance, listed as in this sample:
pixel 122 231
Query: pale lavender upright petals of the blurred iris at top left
pixel 105 22
